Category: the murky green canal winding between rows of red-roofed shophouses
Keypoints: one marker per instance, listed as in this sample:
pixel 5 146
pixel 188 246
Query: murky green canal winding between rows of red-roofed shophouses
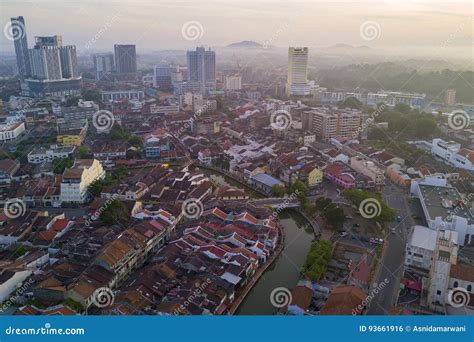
pixel 285 270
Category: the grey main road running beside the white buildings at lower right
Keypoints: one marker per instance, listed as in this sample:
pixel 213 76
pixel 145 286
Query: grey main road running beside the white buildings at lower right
pixel 391 266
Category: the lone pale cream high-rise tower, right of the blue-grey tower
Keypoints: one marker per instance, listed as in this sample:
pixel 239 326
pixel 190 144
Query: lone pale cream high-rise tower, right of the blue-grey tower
pixel 297 82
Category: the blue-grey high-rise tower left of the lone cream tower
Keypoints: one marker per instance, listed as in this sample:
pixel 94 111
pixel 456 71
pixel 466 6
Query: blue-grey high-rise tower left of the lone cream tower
pixel 202 68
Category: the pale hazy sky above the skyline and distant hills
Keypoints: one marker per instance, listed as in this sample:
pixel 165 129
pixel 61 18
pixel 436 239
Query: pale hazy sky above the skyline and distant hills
pixel 157 24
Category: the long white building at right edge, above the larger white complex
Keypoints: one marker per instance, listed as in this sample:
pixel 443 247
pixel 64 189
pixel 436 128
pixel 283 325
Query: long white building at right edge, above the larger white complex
pixel 452 154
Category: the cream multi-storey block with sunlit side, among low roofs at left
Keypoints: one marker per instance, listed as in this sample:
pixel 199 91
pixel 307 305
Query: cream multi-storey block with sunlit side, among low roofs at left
pixel 77 179
